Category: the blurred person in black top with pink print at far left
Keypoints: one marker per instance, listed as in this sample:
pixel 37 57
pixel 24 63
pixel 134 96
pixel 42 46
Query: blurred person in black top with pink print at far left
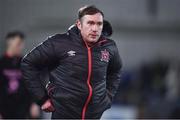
pixel 15 101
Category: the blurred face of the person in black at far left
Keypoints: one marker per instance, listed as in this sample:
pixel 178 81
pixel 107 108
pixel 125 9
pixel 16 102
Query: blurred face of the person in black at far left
pixel 16 45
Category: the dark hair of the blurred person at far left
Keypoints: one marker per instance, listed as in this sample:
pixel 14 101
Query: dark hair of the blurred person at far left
pixel 14 34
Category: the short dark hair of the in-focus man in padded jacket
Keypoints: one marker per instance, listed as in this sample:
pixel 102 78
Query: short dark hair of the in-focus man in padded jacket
pixel 88 10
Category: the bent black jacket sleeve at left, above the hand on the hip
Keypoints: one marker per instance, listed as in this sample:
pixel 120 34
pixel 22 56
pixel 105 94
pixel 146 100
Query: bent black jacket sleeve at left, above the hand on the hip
pixel 32 64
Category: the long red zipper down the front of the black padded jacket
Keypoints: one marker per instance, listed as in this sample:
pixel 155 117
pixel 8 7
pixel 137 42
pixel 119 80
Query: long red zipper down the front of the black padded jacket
pixel 88 82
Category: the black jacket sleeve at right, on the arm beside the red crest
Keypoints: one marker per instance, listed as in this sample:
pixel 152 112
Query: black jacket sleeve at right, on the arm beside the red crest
pixel 113 73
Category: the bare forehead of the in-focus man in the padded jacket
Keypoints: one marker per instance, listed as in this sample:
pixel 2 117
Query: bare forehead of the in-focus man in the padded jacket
pixel 95 17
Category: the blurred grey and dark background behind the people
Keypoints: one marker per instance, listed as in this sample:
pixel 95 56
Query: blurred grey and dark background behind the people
pixel 147 33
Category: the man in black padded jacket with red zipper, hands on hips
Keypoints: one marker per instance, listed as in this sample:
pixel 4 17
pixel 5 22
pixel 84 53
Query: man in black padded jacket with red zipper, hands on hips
pixel 84 69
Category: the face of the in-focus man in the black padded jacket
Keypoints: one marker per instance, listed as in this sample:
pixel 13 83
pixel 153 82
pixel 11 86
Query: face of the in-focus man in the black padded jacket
pixel 91 27
